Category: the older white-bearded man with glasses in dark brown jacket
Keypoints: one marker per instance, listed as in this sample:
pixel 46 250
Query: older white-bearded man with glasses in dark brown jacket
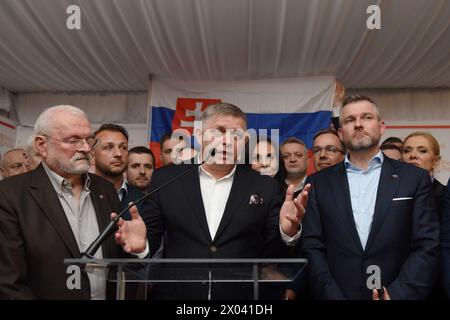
pixel 55 211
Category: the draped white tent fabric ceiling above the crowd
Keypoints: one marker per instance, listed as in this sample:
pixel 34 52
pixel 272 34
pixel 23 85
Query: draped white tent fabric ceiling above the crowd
pixel 121 43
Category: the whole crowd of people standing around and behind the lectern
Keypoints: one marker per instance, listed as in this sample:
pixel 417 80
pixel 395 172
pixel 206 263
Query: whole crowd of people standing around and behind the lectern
pixel 367 204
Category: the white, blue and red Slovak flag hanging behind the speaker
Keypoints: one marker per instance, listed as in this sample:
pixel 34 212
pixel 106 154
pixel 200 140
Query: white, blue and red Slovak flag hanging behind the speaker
pixel 297 107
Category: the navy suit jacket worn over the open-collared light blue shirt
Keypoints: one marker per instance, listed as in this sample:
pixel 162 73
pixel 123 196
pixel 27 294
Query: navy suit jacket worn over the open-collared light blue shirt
pixel 403 240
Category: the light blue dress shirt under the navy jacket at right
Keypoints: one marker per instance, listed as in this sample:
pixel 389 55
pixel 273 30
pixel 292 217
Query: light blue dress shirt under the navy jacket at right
pixel 363 186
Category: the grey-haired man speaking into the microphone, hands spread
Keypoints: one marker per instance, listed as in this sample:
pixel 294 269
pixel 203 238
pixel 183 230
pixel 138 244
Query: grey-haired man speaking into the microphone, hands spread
pixel 220 209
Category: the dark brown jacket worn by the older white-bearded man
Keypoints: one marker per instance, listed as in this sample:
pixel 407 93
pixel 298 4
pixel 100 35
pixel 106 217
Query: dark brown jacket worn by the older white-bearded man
pixel 35 237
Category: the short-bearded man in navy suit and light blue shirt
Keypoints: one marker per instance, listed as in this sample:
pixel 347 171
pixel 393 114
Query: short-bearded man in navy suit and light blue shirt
pixel 370 220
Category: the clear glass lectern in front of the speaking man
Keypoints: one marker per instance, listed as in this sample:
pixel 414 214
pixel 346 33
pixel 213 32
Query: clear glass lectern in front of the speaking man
pixel 207 272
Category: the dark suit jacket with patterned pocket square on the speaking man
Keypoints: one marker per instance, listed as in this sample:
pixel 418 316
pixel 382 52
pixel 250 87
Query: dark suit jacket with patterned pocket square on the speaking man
pixel 245 231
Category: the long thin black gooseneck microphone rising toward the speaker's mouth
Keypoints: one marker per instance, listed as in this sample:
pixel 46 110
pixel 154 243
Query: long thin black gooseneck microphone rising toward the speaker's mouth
pixel 111 227
